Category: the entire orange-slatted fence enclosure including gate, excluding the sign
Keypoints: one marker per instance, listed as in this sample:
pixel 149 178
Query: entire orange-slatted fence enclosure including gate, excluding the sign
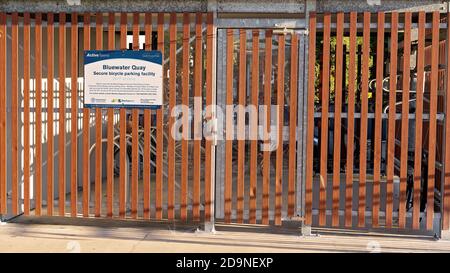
pixel 325 113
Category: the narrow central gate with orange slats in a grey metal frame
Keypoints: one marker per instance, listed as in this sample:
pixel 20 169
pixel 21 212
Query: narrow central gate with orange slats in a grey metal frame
pixel 259 74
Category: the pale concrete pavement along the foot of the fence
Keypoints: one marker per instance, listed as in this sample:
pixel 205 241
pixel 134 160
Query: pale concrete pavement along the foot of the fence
pixel 44 234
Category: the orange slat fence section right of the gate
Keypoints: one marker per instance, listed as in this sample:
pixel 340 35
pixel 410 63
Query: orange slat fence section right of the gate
pixel 386 116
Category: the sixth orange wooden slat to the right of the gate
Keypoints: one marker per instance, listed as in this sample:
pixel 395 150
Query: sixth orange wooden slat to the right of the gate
pixel 391 121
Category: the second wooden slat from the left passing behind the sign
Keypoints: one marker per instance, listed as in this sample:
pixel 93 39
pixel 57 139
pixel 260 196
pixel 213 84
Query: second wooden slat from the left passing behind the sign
pixel 98 126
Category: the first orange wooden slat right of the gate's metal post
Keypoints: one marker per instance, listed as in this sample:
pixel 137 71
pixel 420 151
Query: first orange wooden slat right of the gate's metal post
pixel 324 121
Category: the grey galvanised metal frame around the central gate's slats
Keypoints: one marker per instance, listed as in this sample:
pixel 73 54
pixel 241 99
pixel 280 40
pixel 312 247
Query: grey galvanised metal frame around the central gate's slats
pixel 300 27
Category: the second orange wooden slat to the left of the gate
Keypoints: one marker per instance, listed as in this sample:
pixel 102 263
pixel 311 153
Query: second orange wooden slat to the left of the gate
pixel 197 114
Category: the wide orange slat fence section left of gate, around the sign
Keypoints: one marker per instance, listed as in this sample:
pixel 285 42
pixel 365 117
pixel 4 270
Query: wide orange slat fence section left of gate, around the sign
pixel 121 163
